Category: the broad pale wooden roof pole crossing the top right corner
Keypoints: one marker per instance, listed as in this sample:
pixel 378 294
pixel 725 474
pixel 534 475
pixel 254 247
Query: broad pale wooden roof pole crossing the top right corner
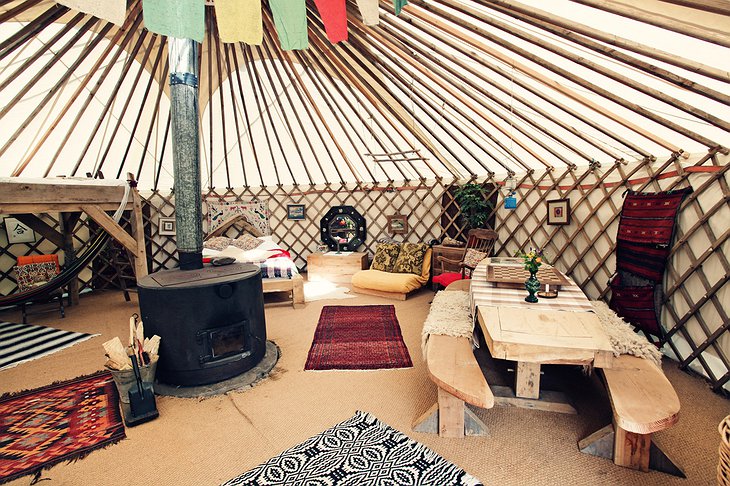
pixel 654 18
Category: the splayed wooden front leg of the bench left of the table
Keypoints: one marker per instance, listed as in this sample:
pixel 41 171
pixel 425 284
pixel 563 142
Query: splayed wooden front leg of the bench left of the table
pixel 447 421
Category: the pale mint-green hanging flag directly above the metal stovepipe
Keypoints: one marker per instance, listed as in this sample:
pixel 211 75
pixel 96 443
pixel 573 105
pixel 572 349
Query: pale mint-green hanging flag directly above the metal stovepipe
pixel 184 19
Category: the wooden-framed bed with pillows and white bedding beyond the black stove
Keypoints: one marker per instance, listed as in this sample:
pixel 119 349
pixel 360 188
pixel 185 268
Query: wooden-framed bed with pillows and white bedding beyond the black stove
pixel 278 271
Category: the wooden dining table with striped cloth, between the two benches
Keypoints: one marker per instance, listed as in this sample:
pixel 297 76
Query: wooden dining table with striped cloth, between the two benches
pixel 549 332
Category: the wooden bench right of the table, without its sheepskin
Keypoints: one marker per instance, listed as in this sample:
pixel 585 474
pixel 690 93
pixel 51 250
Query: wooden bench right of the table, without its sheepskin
pixel 643 402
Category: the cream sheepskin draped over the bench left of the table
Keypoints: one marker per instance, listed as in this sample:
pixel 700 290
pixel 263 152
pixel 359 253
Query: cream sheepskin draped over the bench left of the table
pixel 449 315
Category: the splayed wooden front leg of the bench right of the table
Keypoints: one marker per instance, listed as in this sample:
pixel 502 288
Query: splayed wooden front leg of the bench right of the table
pixel 628 449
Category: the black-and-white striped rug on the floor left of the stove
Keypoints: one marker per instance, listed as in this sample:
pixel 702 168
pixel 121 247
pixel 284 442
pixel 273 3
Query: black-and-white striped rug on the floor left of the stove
pixel 24 342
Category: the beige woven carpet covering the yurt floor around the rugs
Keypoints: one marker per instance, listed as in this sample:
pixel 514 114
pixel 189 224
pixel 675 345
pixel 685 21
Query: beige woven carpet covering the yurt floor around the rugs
pixel 207 442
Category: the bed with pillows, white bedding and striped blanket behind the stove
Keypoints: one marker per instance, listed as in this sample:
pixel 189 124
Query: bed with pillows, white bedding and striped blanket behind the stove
pixel 278 271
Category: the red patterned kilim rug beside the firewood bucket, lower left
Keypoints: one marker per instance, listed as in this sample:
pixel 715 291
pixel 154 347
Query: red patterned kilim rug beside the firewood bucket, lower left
pixel 60 422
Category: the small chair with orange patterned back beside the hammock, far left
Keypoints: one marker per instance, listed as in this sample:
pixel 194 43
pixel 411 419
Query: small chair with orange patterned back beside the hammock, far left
pixel 34 271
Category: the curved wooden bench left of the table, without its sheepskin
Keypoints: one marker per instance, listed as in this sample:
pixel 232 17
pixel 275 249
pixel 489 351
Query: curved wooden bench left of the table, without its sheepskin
pixel 454 369
